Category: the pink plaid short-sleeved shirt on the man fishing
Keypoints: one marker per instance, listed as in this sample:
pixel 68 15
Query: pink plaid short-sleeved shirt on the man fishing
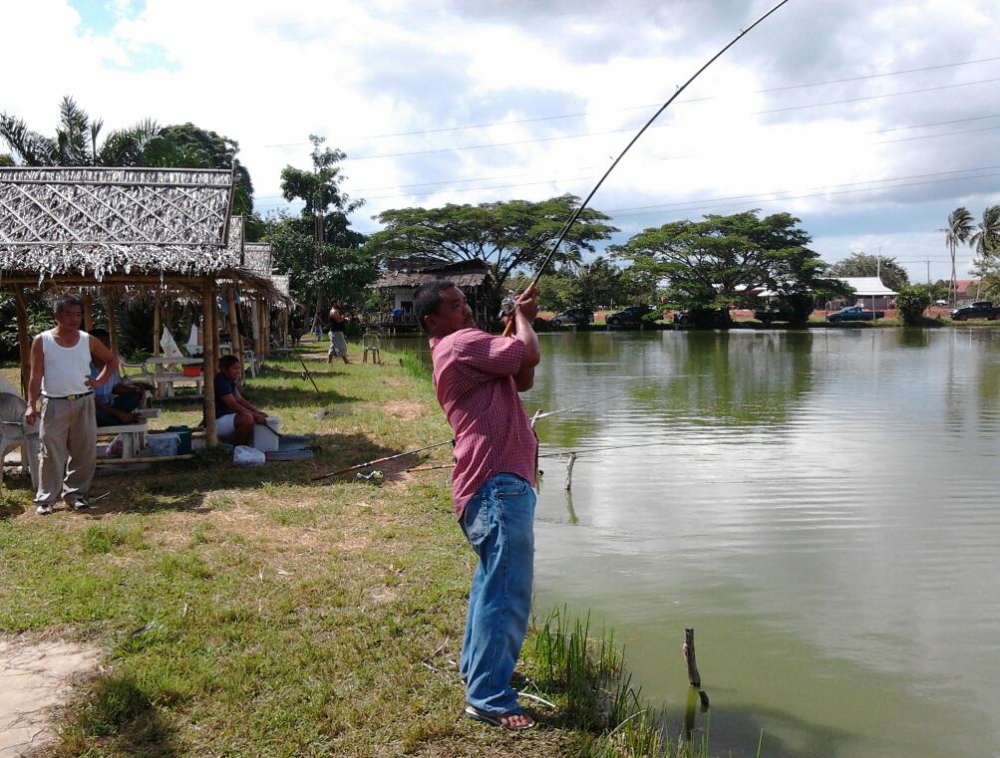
pixel 474 376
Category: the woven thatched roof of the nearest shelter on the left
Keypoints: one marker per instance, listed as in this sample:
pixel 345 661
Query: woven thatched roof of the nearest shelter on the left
pixel 100 221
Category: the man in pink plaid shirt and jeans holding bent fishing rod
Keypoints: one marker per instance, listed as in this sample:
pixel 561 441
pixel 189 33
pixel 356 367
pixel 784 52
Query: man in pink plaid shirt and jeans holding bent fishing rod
pixel 477 377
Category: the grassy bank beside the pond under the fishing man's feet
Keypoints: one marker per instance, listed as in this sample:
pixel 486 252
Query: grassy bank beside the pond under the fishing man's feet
pixel 255 612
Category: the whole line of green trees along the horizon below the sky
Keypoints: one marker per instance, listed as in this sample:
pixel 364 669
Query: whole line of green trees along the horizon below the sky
pixel 702 266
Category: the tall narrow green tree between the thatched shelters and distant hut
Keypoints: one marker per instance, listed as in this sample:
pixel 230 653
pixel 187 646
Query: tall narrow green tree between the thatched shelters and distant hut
pixel 319 249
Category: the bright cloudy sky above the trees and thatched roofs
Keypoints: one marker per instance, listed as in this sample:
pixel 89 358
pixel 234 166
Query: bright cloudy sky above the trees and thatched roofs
pixel 869 120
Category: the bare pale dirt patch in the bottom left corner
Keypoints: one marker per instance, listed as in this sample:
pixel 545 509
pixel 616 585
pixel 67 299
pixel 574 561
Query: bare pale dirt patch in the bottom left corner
pixel 34 678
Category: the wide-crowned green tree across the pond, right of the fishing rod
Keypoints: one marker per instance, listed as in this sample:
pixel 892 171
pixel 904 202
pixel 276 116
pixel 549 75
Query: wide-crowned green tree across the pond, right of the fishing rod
pixel 712 263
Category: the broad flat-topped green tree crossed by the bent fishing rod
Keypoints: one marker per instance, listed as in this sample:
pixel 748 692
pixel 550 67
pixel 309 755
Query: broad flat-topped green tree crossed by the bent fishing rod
pixel 511 236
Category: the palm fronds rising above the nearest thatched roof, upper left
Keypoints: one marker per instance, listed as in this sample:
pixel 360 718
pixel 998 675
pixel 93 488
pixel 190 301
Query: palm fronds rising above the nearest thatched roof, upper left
pixel 76 140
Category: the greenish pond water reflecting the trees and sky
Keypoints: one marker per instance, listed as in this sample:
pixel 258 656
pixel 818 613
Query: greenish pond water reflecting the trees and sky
pixel 820 506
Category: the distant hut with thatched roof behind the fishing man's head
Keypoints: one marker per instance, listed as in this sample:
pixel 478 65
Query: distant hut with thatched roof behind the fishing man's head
pixel 402 276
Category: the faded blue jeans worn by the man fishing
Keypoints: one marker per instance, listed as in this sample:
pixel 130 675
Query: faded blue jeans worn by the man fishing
pixel 498 524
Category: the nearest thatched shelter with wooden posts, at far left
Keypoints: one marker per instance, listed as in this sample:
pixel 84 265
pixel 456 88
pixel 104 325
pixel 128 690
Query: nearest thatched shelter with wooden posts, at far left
pixel 130 232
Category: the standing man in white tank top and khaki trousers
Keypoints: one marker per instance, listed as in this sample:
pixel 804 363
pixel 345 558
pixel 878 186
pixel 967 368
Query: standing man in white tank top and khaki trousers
pixel 60 376
